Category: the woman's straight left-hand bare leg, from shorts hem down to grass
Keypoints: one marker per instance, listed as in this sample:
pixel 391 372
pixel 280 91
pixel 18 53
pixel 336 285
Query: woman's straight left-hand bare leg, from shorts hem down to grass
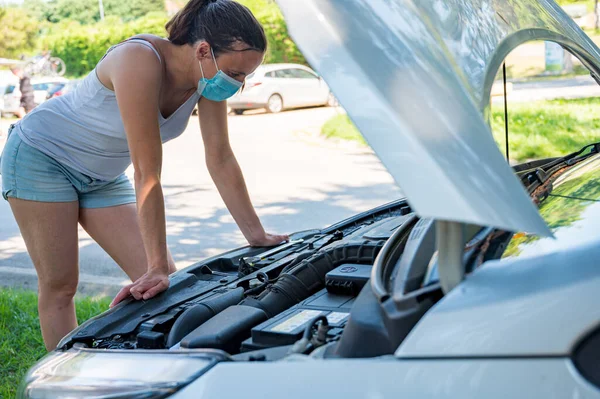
pixel 50 233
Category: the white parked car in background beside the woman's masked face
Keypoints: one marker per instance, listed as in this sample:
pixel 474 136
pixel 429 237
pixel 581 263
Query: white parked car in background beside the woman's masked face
pixel 276 87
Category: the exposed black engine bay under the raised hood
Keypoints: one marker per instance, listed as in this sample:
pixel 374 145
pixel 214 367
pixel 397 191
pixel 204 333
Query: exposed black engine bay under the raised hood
pixel 352 290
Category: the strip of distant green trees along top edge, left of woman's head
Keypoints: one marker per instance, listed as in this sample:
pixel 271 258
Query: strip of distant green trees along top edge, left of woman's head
pixel 87 11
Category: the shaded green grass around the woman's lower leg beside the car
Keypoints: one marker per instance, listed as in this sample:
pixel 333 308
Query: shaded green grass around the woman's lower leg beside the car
pixel 21 342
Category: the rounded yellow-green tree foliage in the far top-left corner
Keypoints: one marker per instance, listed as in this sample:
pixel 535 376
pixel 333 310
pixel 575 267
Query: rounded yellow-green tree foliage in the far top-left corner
pixel 17 32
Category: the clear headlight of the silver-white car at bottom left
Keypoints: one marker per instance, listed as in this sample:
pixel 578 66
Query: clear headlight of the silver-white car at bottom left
pixel 112 374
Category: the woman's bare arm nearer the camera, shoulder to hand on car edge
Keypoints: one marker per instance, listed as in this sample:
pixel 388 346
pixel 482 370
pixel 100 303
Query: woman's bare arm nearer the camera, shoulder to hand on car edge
pixel 135 73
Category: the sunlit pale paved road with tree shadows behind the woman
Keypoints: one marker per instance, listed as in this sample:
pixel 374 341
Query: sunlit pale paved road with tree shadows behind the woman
pixel 297 180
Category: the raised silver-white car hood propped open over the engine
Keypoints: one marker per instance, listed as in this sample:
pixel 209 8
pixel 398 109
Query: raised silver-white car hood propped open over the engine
pixel 415 77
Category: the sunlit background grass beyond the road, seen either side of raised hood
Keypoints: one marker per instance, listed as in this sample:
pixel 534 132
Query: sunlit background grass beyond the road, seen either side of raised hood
pixel 536 130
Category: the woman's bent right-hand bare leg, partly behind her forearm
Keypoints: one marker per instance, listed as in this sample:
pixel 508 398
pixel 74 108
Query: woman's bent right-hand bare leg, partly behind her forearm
pixel 117 231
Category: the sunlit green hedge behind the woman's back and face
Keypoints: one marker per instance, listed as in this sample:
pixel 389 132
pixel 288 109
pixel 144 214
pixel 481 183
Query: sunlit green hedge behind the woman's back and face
pixel 82 46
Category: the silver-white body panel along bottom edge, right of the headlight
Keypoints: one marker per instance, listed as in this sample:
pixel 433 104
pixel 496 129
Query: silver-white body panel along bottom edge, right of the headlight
pixel 383 379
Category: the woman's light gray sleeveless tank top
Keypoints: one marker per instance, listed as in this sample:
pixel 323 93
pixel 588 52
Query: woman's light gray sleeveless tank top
pixel 83 129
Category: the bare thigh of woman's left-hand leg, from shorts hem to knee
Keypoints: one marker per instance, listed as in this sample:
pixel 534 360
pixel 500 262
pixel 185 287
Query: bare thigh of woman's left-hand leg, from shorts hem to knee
pixel 50 234
